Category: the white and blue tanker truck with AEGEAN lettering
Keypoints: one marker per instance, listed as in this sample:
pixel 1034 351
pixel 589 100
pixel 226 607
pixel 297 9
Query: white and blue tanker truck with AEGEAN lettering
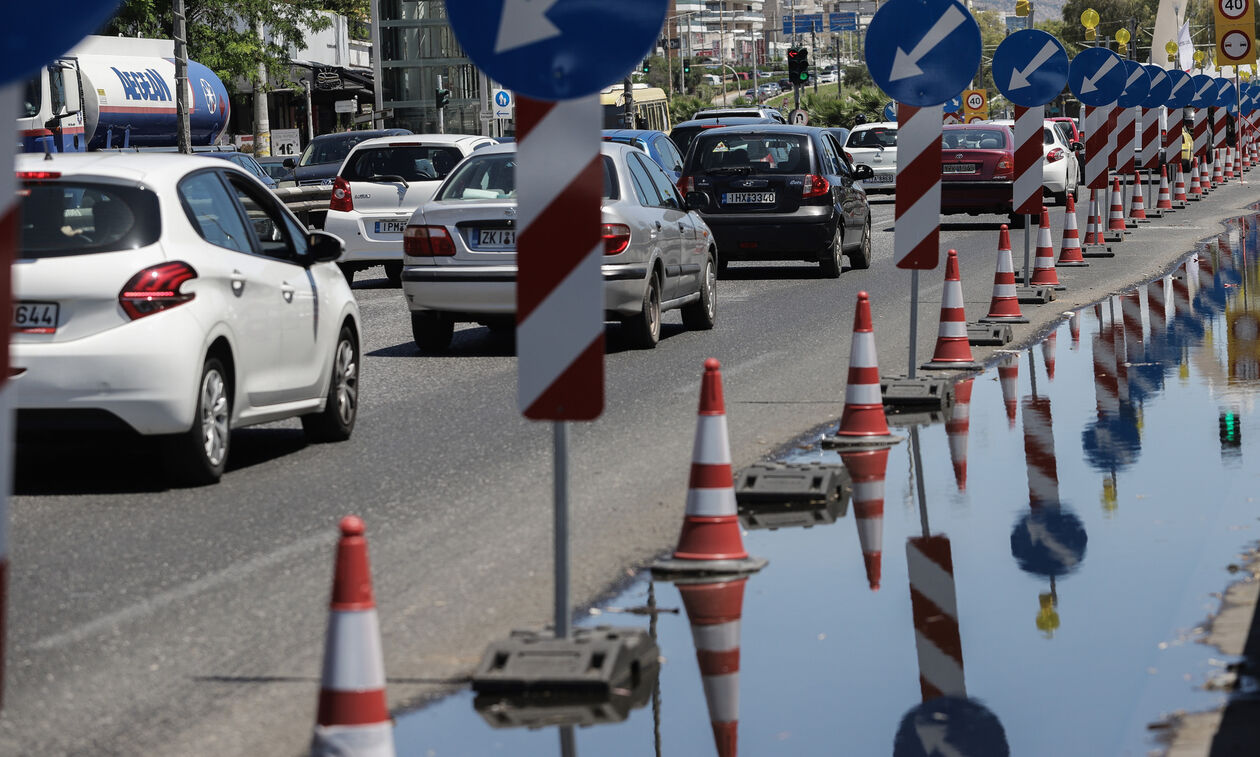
pixel 118 93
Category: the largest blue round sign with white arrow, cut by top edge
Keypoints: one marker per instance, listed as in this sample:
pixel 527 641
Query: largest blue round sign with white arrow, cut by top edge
pixel 556 50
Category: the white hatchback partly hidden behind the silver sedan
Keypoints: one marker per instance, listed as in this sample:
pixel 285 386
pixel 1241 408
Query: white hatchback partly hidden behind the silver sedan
pixel 380 186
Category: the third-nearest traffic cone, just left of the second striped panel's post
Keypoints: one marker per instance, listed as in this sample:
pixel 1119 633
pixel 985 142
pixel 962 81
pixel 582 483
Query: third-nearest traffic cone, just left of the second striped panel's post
pixel 864 421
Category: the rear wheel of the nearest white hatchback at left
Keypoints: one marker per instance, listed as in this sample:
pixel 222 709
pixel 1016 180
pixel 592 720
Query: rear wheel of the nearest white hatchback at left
pixel 200 457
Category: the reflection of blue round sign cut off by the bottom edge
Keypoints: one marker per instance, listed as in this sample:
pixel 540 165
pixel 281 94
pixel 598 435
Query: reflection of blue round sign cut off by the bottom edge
pixel 951 726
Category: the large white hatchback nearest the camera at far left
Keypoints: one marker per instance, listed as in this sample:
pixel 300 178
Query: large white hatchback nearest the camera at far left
pixel 176 297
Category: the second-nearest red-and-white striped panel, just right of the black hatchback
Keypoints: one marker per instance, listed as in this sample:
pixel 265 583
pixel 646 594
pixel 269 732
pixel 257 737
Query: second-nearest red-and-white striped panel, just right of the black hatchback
pixel 917 231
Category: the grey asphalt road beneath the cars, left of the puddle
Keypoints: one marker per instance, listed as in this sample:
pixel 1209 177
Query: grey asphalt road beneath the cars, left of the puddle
pixel 156 622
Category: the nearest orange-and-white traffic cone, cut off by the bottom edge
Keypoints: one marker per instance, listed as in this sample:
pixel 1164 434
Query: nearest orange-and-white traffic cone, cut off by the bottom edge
pixel 353 719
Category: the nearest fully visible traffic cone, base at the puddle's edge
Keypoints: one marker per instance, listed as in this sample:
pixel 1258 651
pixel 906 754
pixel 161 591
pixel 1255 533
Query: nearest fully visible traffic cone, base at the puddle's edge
pixel 710 542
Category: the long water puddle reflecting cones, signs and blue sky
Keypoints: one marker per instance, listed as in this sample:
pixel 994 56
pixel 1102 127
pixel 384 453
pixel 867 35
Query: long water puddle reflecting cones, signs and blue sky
pixel 1033 588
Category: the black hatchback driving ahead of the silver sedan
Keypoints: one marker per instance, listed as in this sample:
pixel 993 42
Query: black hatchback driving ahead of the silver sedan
pixel 779 192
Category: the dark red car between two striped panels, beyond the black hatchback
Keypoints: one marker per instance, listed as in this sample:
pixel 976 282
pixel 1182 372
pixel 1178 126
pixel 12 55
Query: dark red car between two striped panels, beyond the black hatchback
pixel 978 169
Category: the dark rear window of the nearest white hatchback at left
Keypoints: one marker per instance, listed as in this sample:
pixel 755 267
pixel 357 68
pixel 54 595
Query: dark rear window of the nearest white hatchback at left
pixel 70 219
